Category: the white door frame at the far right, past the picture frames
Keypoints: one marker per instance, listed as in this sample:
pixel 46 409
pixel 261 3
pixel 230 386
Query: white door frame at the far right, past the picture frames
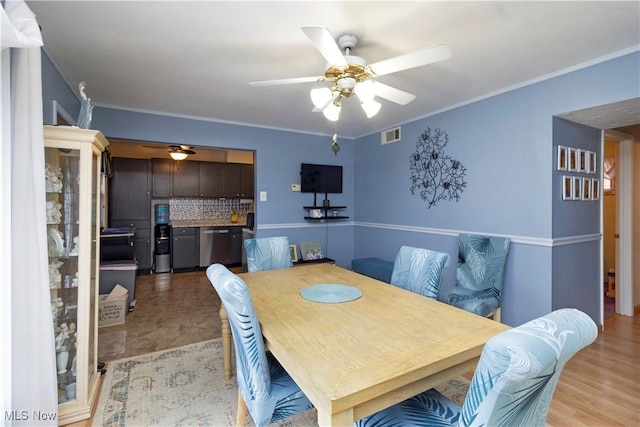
pixel 624 221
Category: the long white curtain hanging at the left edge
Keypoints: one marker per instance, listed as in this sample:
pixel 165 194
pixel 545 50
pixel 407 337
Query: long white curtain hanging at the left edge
pixel 29 359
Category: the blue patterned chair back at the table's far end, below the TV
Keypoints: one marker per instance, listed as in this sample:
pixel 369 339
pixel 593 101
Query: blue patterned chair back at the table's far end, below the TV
pixel 268 253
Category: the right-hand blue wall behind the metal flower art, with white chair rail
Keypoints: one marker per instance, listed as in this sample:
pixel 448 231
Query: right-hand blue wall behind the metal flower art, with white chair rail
pixel 506 142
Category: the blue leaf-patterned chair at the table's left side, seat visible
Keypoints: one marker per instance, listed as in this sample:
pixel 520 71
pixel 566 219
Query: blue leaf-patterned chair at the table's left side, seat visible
pixel 264 387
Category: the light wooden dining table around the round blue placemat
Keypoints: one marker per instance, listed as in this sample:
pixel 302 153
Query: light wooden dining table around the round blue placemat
pixel 355 358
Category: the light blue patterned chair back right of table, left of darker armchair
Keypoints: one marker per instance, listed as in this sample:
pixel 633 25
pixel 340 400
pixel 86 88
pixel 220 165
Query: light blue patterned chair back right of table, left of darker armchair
pixel 419 270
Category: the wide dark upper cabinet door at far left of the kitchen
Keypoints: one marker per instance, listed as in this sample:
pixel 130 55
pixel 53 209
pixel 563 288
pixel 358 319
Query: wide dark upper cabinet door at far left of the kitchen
pixel 130 189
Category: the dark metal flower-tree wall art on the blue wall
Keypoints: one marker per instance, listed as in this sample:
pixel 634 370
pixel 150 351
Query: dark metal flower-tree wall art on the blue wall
pixel 435 175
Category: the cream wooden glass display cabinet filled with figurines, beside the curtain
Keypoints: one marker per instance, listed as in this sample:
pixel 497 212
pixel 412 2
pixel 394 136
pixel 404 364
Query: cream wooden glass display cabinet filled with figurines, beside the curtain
pixel 73 159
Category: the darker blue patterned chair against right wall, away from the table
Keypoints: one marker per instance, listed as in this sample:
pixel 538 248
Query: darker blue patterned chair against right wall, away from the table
pixel 479 275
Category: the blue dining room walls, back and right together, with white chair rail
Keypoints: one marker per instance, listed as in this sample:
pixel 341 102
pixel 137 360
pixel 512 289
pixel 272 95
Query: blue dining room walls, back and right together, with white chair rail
pixel 506 143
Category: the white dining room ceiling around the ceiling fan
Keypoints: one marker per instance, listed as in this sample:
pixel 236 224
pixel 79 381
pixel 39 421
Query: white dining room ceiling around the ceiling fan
pixel 196 59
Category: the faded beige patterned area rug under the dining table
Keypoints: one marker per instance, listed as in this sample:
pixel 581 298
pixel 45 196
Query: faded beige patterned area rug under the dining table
pixel 185 386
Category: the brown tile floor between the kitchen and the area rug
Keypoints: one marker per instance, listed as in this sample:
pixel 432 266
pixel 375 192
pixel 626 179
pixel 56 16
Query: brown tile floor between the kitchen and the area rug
pixel 171 310
